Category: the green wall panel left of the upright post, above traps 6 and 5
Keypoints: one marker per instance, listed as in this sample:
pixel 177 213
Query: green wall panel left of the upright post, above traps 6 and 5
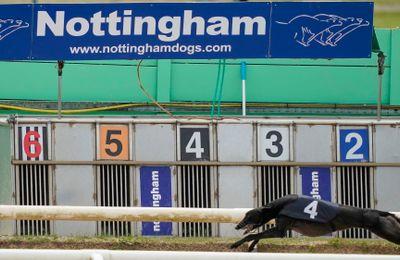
pixel 81 82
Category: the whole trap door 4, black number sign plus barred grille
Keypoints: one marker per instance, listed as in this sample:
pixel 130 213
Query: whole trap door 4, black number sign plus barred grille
pixel 196 184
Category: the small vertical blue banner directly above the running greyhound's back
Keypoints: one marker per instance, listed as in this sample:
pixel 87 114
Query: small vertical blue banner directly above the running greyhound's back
pixel 316 182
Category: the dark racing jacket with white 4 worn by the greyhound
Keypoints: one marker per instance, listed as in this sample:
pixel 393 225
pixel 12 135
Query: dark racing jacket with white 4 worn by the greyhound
pixel 310 209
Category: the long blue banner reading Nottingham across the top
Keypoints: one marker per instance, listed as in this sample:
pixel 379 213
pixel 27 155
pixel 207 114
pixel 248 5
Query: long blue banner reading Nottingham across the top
pixel 185 30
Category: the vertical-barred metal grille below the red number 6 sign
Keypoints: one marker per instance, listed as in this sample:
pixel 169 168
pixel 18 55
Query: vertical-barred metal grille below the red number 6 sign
pixel 33 188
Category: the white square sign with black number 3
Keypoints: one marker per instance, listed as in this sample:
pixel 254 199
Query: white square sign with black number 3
pixel 273 143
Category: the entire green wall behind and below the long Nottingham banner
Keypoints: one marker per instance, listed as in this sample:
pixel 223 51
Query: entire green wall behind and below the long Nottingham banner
pixel 340 81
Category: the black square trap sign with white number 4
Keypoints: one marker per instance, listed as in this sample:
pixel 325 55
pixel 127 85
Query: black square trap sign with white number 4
pixel 194 144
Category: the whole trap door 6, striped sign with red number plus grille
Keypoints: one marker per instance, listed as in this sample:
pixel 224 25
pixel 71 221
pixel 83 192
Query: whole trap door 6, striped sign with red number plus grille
pixel 33 182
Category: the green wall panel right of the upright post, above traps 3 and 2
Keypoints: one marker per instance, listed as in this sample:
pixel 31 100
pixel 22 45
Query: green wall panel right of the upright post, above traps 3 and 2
pixel 282 83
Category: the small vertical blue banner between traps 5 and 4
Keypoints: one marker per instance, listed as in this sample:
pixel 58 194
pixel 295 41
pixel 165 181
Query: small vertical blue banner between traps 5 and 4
pixel 155 191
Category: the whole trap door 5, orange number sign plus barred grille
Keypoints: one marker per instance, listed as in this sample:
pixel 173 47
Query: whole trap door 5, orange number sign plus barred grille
pixel 114 182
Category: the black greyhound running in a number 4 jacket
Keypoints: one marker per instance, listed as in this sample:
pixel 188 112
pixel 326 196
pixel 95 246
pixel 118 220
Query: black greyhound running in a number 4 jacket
pixel 313 217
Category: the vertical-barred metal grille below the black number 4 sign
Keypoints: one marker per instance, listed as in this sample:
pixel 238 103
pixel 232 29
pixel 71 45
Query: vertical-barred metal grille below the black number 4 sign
pixel 195 190
